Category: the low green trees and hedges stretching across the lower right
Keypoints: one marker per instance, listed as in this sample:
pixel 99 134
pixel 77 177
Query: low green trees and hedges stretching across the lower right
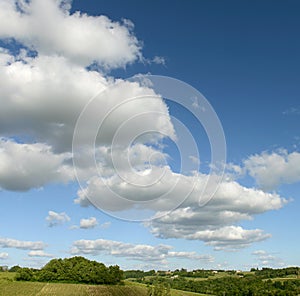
pixel 258 282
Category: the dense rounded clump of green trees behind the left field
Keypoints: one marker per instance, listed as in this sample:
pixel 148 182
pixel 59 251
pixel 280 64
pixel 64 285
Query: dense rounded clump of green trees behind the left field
pixel 75 269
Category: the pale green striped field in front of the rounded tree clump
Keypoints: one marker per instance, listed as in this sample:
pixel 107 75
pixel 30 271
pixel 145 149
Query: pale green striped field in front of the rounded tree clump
pixel 9 287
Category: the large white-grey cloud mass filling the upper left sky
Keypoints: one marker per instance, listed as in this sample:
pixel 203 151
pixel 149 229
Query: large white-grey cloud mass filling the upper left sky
pixel 41 98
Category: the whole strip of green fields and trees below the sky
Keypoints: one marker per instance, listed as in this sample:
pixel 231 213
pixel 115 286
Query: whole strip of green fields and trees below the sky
pixel 80 276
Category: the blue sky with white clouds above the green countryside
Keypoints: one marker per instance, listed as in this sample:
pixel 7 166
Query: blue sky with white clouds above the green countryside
pixel 242 56
